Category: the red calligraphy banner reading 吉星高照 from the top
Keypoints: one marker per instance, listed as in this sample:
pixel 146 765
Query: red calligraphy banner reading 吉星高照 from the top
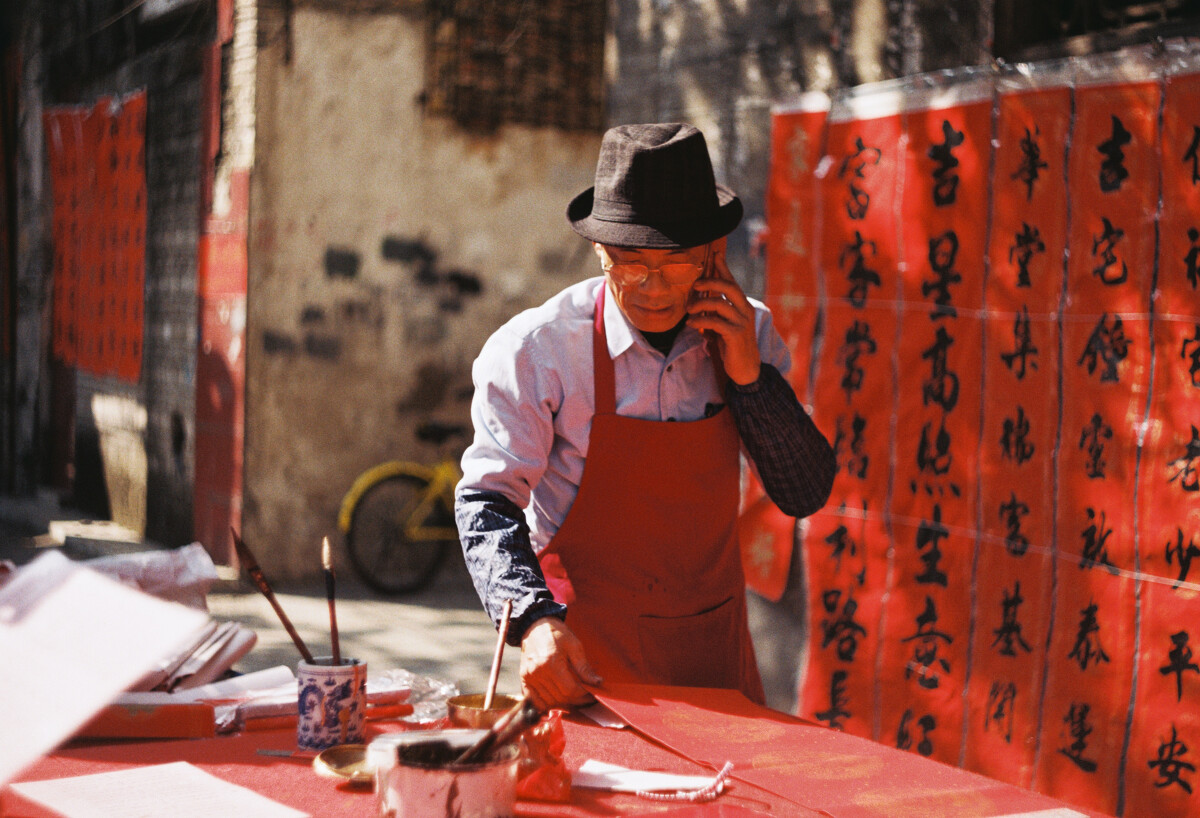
pixel 934 503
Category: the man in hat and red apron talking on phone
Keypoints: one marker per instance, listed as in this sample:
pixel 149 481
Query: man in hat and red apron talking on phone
pixel 601 494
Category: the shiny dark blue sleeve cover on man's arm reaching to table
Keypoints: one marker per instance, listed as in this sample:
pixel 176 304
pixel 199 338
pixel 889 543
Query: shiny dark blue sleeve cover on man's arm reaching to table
pixel 496 545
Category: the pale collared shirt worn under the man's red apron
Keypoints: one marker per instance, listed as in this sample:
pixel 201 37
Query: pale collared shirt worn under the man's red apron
pixel 536 398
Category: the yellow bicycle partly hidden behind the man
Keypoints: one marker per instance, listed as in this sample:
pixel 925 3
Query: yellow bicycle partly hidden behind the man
pixel 398 519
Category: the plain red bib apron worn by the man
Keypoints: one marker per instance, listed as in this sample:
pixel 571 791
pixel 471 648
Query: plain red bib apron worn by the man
pixel 647 561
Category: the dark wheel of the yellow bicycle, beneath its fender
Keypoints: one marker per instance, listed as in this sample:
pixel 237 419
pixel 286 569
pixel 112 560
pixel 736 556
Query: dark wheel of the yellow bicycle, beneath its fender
pixel 383 556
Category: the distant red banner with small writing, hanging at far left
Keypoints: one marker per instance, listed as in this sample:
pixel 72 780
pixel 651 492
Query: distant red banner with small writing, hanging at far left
pixel 98 173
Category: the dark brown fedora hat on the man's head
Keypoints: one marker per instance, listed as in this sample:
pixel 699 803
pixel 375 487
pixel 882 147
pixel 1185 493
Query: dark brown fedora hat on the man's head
pixel 655 189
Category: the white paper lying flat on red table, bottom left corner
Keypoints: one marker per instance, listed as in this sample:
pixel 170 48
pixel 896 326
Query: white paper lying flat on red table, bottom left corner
pixel 177 790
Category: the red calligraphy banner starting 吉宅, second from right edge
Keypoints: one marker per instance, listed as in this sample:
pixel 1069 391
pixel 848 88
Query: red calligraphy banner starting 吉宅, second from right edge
pixel 1113 177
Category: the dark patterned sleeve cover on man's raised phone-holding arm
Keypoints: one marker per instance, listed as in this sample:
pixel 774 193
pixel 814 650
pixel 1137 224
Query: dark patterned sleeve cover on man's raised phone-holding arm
pixel 794 459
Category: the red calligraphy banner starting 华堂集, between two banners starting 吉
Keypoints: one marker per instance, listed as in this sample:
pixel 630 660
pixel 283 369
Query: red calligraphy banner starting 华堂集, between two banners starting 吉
pixel 1021 429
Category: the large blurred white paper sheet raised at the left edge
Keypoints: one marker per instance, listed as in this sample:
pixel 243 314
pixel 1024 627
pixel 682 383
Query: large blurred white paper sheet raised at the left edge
pixel 73 641
